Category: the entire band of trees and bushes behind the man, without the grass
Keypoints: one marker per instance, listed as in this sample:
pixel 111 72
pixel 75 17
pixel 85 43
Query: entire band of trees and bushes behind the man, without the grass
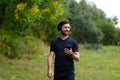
pixel 23 22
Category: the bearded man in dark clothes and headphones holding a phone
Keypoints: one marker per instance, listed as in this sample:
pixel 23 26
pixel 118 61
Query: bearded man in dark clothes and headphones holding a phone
pixel 65 50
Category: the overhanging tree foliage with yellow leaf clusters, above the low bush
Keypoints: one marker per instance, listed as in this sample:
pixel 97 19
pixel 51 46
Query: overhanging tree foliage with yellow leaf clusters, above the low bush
pixel 24 15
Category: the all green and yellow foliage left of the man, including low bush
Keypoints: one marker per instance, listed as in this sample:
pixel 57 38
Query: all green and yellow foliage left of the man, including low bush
pixel 33 18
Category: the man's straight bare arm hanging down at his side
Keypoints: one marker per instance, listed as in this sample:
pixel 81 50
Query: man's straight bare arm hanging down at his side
pixel 50 58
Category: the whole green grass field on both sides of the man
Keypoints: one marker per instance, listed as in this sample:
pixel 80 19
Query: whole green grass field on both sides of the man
pixel 102 64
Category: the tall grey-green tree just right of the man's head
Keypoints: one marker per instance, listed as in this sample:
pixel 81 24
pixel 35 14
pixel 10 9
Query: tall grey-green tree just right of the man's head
pixel 84 28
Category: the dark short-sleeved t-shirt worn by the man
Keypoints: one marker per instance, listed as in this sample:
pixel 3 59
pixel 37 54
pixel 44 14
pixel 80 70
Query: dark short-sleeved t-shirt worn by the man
pixel 63 61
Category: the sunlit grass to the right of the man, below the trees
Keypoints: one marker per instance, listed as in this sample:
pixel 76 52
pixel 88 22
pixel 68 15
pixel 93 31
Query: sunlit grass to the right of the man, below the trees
pixel 101 64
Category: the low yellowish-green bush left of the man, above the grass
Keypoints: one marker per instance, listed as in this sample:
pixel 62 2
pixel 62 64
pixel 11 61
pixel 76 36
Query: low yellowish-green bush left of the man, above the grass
pixel 21 46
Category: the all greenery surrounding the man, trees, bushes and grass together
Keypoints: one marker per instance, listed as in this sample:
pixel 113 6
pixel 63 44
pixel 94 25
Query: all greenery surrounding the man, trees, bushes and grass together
pixel 27 27
